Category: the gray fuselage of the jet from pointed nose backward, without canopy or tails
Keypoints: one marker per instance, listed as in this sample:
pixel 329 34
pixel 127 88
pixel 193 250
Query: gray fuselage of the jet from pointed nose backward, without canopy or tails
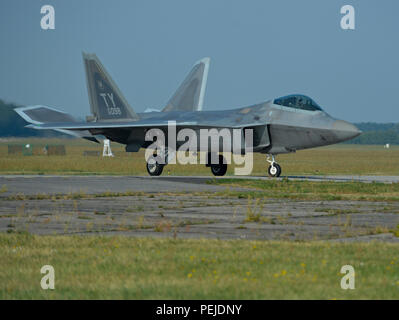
pixel 277 129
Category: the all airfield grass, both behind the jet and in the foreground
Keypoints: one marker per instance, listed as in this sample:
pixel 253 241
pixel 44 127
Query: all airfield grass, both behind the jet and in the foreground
pixel 96 267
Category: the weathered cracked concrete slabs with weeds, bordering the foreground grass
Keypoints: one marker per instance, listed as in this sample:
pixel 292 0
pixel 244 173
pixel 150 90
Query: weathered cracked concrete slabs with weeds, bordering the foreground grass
pixel 199 216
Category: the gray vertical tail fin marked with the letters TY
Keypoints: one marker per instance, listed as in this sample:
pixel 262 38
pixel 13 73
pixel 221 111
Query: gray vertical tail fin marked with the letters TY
pixel 107 102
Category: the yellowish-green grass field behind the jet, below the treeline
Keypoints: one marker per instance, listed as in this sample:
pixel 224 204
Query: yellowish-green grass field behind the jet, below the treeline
pixel 337 159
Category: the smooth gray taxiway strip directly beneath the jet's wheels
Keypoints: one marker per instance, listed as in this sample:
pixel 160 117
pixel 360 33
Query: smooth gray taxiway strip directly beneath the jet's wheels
pixel 34 184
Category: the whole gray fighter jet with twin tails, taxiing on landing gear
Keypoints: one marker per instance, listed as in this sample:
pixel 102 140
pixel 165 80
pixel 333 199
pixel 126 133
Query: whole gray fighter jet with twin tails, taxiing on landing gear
pixel 282 125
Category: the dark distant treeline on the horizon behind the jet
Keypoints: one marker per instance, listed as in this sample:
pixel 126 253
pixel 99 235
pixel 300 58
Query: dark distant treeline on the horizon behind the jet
pixel 12 125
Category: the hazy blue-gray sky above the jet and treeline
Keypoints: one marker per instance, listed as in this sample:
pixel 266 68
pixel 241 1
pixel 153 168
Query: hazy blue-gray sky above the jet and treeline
pixel 259 50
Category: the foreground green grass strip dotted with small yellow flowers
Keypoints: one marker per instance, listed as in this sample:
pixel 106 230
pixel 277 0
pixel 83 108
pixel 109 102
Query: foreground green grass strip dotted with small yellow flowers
pixel 131 268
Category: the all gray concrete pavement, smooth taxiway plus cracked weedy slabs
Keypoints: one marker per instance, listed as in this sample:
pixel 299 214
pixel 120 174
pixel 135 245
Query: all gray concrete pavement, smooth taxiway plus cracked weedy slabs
pixel 177 207
